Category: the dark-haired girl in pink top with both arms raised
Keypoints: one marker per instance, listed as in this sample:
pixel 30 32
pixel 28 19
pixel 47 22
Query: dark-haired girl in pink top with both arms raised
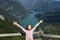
pixel 29 31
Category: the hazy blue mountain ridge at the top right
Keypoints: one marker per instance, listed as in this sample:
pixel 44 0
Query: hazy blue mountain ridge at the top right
pixel 46 5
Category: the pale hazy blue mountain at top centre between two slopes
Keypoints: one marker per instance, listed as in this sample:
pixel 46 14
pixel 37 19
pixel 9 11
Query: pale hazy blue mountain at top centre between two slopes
pixel 28 3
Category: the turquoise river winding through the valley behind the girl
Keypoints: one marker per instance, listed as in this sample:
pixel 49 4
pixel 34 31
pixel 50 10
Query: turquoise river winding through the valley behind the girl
pixel 29 19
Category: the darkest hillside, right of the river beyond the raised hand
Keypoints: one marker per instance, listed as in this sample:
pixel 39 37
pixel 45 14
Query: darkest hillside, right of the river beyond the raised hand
pixel 50 17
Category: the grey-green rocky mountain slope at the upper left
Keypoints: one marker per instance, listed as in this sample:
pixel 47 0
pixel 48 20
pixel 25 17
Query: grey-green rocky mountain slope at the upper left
pixel 13 8
